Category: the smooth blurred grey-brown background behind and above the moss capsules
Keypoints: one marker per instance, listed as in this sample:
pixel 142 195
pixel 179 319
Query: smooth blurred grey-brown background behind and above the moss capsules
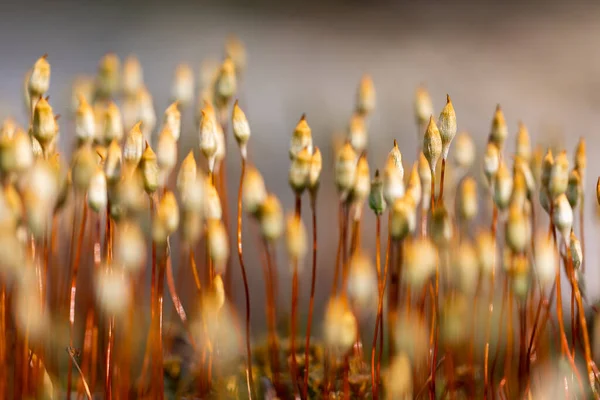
pixel 539 61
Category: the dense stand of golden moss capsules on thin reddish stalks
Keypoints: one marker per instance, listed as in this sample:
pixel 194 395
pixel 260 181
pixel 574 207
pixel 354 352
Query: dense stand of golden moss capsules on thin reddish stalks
pixel 452 299
